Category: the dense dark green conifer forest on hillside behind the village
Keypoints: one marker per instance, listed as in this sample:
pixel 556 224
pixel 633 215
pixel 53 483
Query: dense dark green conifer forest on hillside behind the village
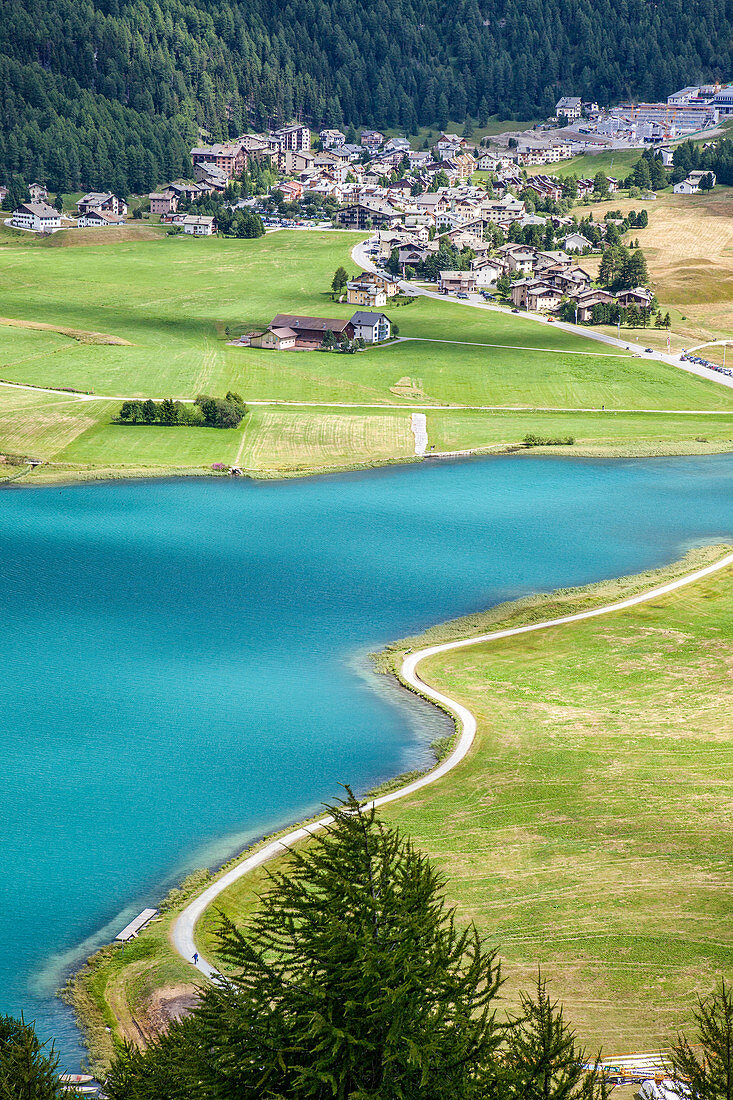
pixel 112 94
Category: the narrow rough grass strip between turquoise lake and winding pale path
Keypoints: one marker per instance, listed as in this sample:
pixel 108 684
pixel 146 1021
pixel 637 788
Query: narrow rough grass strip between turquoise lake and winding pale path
pixel 87 988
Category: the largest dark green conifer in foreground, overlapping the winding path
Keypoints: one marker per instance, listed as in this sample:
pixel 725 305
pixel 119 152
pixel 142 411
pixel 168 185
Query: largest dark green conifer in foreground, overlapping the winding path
pixel 352 982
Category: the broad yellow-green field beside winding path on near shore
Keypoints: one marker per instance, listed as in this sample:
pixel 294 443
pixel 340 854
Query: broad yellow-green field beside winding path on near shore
pixel 588 831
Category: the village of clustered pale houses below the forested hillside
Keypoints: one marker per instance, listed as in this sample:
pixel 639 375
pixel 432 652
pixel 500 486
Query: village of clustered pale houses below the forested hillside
pixel 472 219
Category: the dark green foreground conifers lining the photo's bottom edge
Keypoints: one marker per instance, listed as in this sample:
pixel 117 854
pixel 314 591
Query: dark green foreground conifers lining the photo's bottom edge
pixel 354 983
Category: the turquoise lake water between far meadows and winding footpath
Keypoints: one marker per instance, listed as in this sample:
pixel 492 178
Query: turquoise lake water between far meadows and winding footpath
pixel 183 664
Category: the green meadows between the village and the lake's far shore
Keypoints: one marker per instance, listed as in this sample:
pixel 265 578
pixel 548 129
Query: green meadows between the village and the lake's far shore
pixel 138 317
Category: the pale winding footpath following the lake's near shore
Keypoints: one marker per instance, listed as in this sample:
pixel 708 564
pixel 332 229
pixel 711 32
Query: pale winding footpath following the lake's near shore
pixel 183 933
